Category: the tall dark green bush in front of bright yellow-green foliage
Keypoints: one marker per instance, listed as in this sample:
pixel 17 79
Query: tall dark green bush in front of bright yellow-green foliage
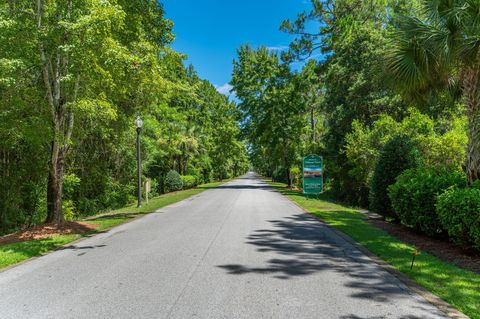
pixel 396 156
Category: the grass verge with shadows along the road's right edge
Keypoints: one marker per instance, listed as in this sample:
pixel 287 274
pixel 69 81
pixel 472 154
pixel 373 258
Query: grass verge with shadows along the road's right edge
pixel 459 287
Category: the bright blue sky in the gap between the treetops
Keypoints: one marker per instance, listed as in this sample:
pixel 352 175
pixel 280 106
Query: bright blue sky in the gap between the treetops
pixel 210 31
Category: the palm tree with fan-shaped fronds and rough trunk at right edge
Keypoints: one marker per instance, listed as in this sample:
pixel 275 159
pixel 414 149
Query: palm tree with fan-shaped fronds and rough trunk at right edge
pixel 441 47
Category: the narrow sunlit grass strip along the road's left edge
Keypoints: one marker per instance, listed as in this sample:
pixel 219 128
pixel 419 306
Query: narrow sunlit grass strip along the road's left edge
pixel 11 254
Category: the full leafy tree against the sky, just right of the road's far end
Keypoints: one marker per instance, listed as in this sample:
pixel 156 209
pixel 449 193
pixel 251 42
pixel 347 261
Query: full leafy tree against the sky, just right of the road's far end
pixel 272 111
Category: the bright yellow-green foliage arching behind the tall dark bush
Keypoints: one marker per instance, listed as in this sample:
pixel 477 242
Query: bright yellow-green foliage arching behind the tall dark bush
pixel 441 144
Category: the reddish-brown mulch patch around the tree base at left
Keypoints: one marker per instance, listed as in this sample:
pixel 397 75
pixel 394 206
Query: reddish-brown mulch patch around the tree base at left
pixel 48 230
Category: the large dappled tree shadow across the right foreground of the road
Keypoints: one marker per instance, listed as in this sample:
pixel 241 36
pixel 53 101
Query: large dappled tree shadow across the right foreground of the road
pixel 304 246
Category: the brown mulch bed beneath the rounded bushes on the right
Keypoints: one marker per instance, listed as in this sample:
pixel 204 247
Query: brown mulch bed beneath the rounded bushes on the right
pixel 466 258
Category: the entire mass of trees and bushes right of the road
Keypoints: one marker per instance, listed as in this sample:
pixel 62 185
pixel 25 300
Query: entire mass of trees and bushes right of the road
pixel 388 95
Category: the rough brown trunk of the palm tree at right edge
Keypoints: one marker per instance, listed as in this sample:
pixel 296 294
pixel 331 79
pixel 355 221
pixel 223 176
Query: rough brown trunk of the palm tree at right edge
pixel 471 92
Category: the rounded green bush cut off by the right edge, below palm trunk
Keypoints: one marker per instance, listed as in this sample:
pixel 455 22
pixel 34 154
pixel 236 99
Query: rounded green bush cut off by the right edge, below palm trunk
pixel 459 212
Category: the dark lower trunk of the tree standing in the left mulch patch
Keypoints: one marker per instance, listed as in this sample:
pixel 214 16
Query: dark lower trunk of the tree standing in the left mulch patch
pixel 55 186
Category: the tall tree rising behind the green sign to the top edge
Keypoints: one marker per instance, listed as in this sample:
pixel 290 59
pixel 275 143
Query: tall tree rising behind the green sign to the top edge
pixel 349 37
